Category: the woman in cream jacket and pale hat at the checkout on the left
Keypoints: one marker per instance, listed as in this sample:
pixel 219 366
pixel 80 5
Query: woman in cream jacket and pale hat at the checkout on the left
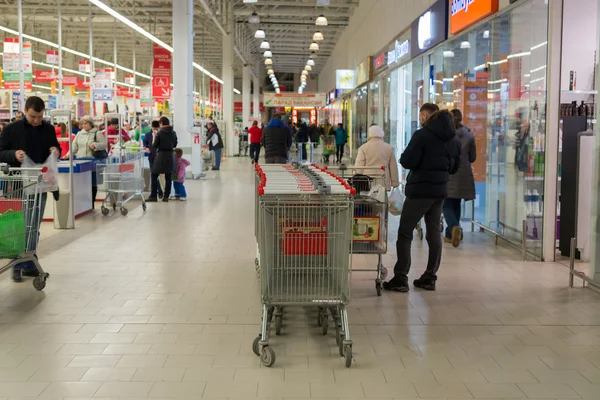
pixel 89 143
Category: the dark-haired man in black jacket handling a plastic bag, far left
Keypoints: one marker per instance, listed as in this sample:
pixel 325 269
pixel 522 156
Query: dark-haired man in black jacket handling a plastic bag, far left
pixel 36 139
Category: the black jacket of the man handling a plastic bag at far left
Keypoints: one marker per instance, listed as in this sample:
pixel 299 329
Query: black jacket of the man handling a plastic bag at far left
pixel 35 141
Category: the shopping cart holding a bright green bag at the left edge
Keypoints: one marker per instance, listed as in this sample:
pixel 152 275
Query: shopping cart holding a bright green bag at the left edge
pixel 21 211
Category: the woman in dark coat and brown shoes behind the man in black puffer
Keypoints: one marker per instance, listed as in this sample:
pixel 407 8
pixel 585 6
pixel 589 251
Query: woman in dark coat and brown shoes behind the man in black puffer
pixel 462 184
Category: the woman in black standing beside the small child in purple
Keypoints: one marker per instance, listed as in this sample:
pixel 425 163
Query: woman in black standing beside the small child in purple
pixel 164 163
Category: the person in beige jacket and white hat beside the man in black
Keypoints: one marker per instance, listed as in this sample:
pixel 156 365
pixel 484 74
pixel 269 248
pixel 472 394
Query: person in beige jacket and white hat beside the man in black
pixel 377 153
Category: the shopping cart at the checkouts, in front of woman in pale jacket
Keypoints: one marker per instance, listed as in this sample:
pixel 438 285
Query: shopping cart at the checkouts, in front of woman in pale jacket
pixel 121 175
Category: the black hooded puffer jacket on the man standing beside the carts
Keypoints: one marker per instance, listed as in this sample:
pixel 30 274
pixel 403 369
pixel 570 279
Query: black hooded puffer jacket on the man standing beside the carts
pixel 432 155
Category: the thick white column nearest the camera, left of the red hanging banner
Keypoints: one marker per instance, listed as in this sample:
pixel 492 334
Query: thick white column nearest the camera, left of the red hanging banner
pixel 183 70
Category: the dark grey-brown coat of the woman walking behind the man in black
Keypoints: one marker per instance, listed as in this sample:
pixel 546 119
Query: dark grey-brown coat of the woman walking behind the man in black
pixel 462 184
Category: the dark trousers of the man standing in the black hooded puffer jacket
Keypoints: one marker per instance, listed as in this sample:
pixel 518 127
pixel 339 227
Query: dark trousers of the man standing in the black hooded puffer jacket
pixel 412 212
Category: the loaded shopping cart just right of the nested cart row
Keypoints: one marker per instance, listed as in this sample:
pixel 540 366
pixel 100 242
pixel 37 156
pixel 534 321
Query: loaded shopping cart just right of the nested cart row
pixel 370 227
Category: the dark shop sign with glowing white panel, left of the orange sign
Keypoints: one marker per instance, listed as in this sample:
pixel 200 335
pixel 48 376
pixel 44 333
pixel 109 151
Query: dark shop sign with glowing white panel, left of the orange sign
pixel 430 29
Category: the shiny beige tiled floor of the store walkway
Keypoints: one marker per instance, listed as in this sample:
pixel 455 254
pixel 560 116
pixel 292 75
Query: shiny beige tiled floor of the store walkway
pixel 165 305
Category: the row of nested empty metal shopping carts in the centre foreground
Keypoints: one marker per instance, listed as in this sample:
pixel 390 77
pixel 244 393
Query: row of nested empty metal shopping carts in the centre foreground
pixel 304 232
